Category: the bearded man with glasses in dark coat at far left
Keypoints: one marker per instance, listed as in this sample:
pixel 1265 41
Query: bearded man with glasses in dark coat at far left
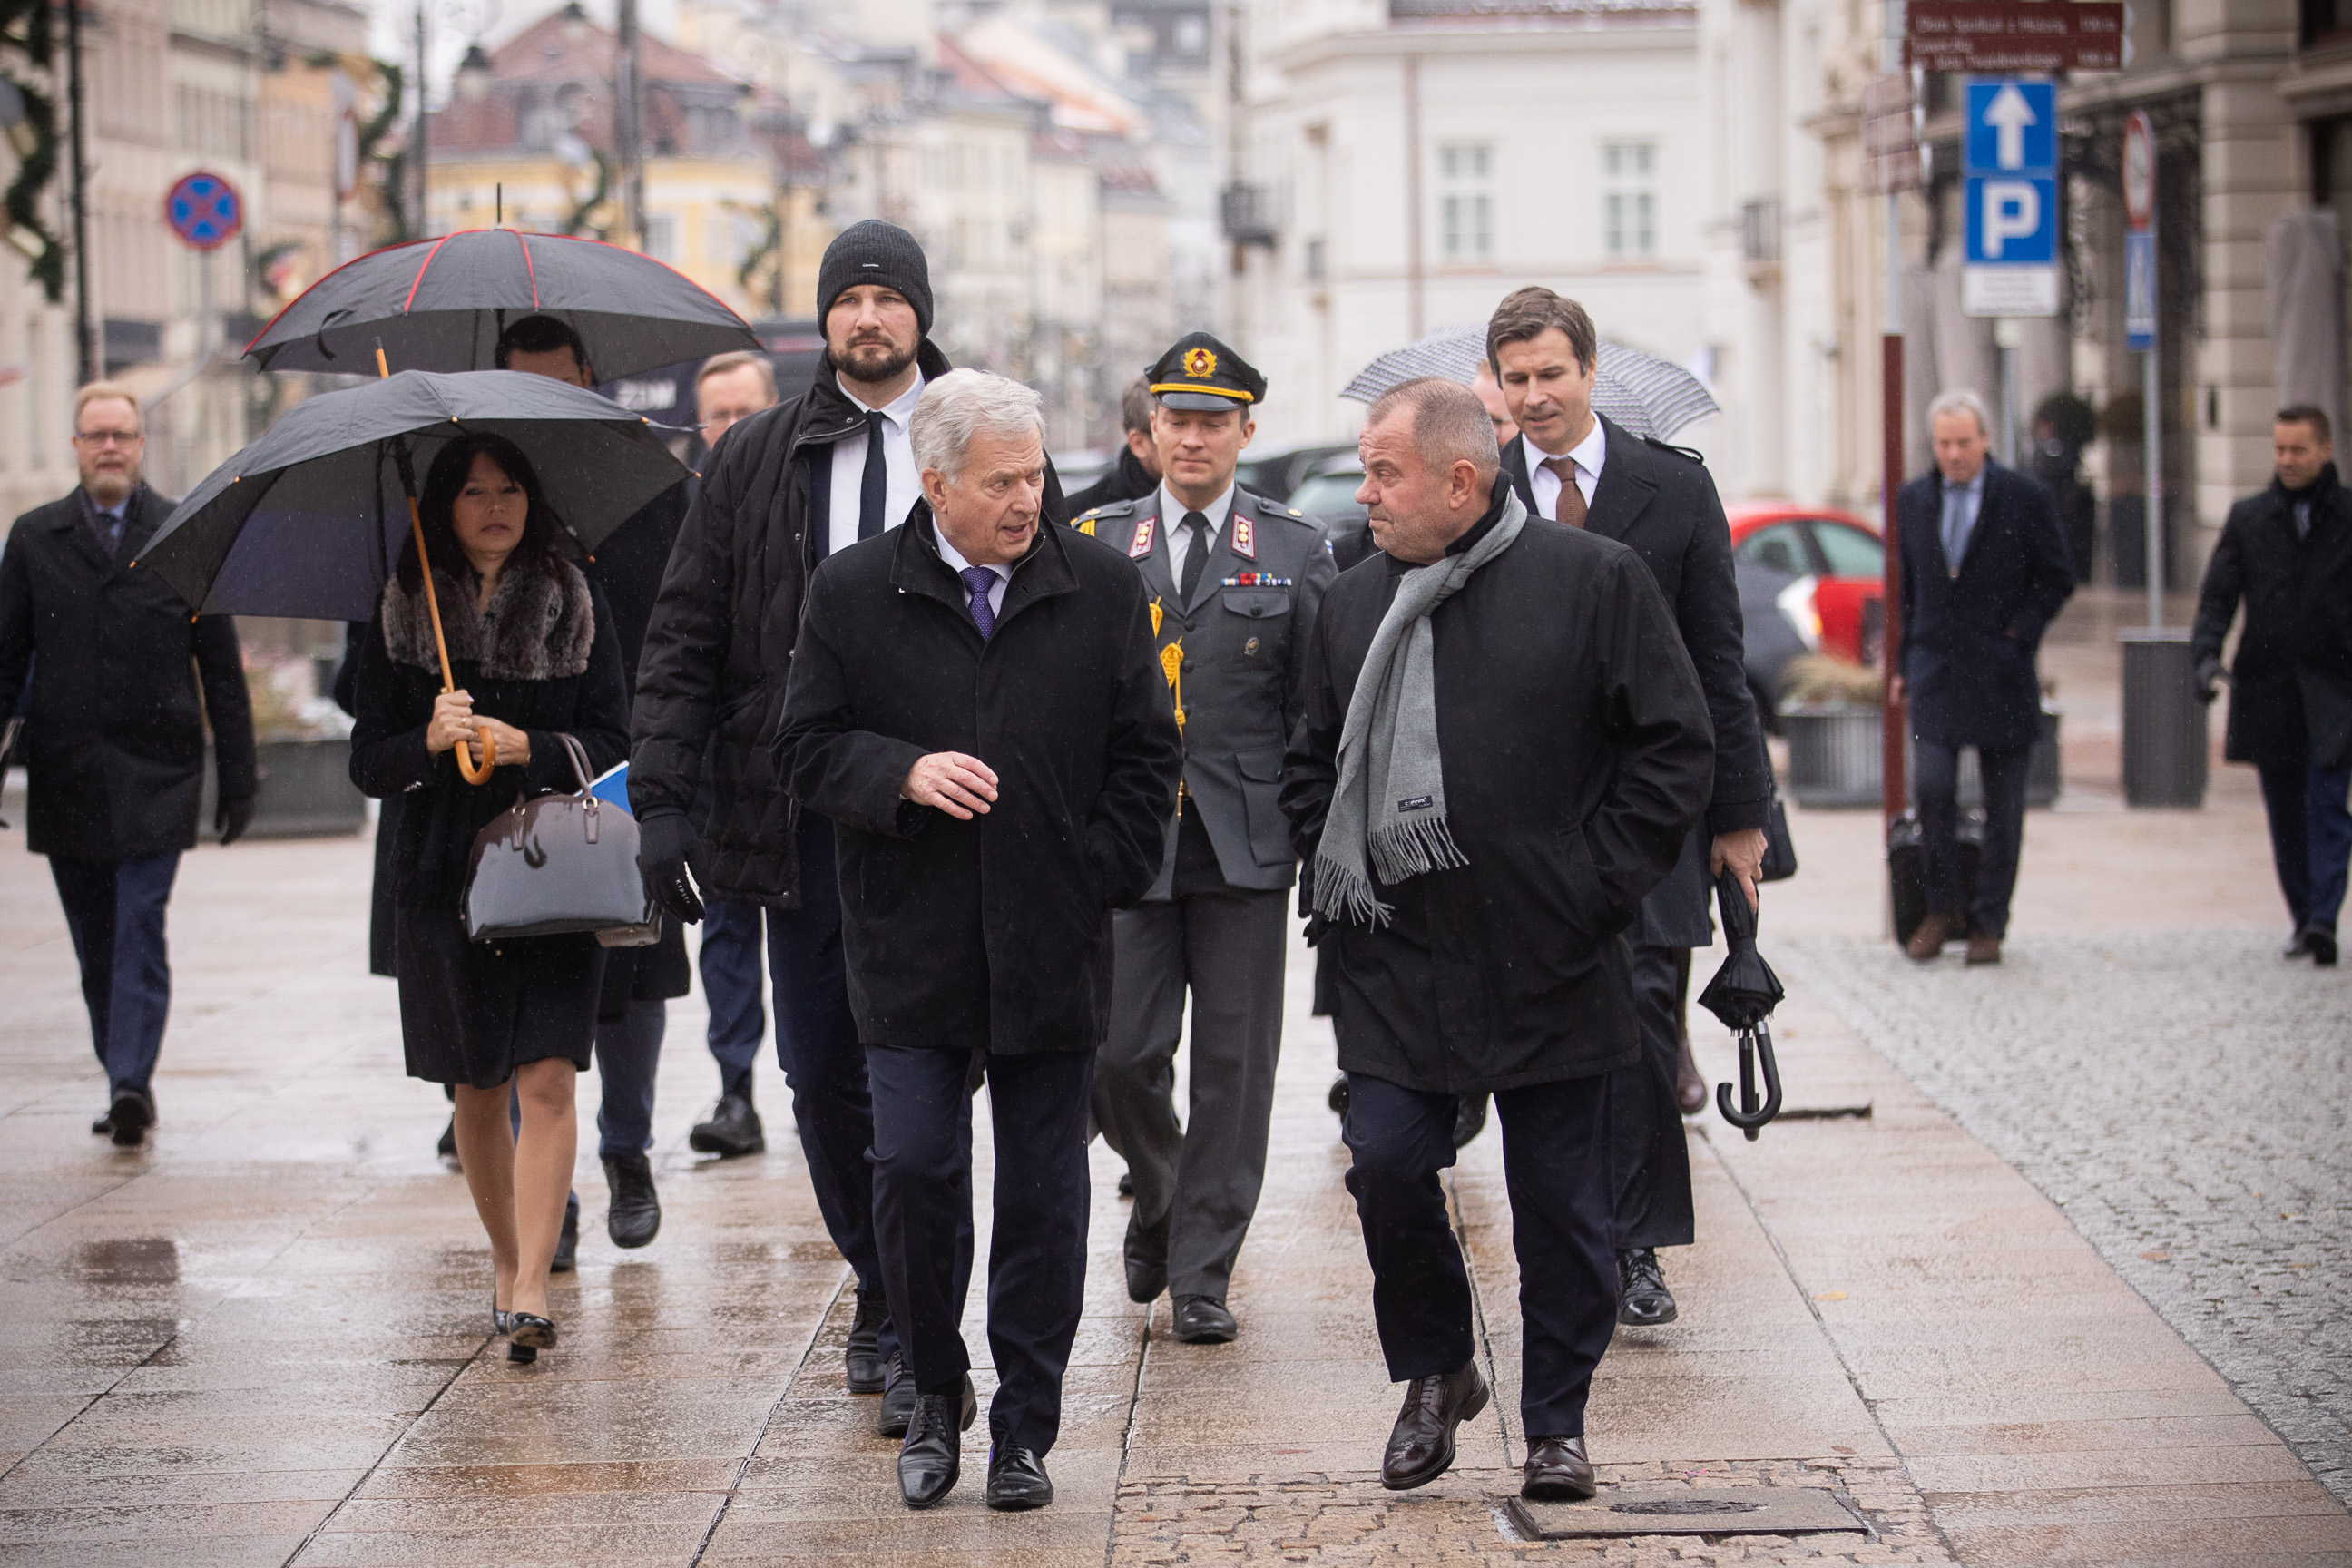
pixel 114 739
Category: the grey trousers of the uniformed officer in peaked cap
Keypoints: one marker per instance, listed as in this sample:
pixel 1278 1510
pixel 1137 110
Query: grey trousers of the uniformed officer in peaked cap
pixel 1203 1174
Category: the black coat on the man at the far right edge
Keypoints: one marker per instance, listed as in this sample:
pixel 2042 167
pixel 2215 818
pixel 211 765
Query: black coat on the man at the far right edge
pixel 2292 681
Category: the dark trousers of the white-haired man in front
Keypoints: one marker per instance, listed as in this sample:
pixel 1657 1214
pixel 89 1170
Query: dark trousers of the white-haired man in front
pixel 1038 1247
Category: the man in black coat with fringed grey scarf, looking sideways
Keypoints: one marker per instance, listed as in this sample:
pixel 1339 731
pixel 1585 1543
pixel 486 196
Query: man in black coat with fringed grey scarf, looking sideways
pixel 1502 753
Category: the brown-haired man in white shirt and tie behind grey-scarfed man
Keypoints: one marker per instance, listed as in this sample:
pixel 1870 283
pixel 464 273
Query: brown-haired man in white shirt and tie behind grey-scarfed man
pixel 1575 467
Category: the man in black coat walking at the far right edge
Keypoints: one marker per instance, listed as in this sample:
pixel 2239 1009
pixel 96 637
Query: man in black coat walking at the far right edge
pixel 2287 558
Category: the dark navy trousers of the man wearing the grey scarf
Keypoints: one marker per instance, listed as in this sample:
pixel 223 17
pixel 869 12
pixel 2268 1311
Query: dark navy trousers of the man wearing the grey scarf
pixel 1556 1167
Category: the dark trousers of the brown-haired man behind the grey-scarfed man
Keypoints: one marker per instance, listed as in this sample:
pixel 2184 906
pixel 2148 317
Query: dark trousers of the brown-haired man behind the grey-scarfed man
pixel 1650 1155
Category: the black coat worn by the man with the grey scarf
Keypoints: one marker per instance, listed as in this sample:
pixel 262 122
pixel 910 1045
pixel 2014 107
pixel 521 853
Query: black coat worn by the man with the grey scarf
pixel 1577 758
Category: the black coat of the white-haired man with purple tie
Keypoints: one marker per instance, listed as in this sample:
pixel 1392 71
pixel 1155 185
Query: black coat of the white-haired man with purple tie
pixel 991 932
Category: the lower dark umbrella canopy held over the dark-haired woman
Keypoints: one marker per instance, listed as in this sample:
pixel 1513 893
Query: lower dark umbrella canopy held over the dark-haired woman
pixel 309 521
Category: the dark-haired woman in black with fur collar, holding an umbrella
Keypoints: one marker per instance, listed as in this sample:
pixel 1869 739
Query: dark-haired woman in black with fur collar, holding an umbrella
pixel 535 657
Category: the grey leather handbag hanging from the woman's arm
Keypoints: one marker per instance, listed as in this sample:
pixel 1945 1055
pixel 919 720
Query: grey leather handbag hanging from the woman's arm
pixel 559 864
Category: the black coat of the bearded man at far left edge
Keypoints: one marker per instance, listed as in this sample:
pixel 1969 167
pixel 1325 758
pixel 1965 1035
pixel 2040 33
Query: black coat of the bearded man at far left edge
pixel 114 737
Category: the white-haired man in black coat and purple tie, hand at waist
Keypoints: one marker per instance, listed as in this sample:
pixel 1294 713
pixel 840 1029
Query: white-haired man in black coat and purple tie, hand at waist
pixel 977 706
